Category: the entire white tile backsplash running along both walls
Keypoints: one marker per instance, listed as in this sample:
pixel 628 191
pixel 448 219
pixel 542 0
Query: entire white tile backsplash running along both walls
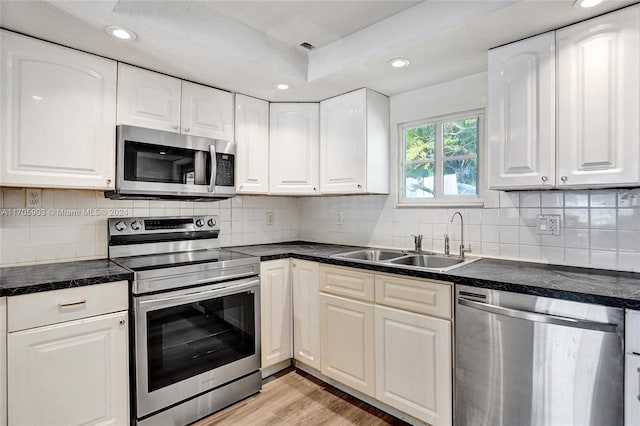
pixel 599 228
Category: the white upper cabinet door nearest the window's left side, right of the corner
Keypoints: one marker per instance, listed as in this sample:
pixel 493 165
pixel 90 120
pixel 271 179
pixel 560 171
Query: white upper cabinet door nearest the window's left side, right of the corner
pixel 343 143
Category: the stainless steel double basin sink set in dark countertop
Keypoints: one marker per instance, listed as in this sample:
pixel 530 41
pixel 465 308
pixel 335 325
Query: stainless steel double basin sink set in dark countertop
pixel 415 260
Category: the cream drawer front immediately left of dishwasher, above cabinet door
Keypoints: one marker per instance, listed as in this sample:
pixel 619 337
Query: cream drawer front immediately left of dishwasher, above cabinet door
pixel 421 296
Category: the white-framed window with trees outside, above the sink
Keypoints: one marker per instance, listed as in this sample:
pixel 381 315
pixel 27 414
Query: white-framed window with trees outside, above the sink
pixel 439 159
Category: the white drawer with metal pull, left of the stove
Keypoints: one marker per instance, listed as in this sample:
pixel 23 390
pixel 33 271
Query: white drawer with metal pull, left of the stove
pixel 51 307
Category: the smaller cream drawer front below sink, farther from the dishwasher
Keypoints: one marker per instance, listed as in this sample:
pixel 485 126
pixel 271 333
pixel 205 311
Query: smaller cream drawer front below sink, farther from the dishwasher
pixel 347 282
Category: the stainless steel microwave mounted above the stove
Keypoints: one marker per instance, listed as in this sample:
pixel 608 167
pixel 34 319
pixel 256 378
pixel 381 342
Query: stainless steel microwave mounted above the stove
pixel 154 164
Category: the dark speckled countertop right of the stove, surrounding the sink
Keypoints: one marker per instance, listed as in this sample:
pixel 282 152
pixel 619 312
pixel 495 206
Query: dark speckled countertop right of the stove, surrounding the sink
pixel 604 287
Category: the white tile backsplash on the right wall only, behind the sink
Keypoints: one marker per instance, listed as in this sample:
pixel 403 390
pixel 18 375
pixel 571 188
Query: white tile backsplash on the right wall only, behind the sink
pixel 598 228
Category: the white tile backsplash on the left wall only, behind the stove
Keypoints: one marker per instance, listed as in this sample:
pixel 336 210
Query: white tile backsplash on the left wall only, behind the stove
pixel 72 224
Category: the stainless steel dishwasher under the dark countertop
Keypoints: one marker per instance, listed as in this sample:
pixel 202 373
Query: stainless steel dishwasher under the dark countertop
pixel 536 361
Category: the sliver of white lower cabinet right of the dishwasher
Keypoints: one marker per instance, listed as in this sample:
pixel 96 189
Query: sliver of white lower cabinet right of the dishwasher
pixel 632 369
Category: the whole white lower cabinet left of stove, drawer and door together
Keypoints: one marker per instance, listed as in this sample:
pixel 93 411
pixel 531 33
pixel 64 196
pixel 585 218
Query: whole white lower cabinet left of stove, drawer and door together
pixel 69 372
